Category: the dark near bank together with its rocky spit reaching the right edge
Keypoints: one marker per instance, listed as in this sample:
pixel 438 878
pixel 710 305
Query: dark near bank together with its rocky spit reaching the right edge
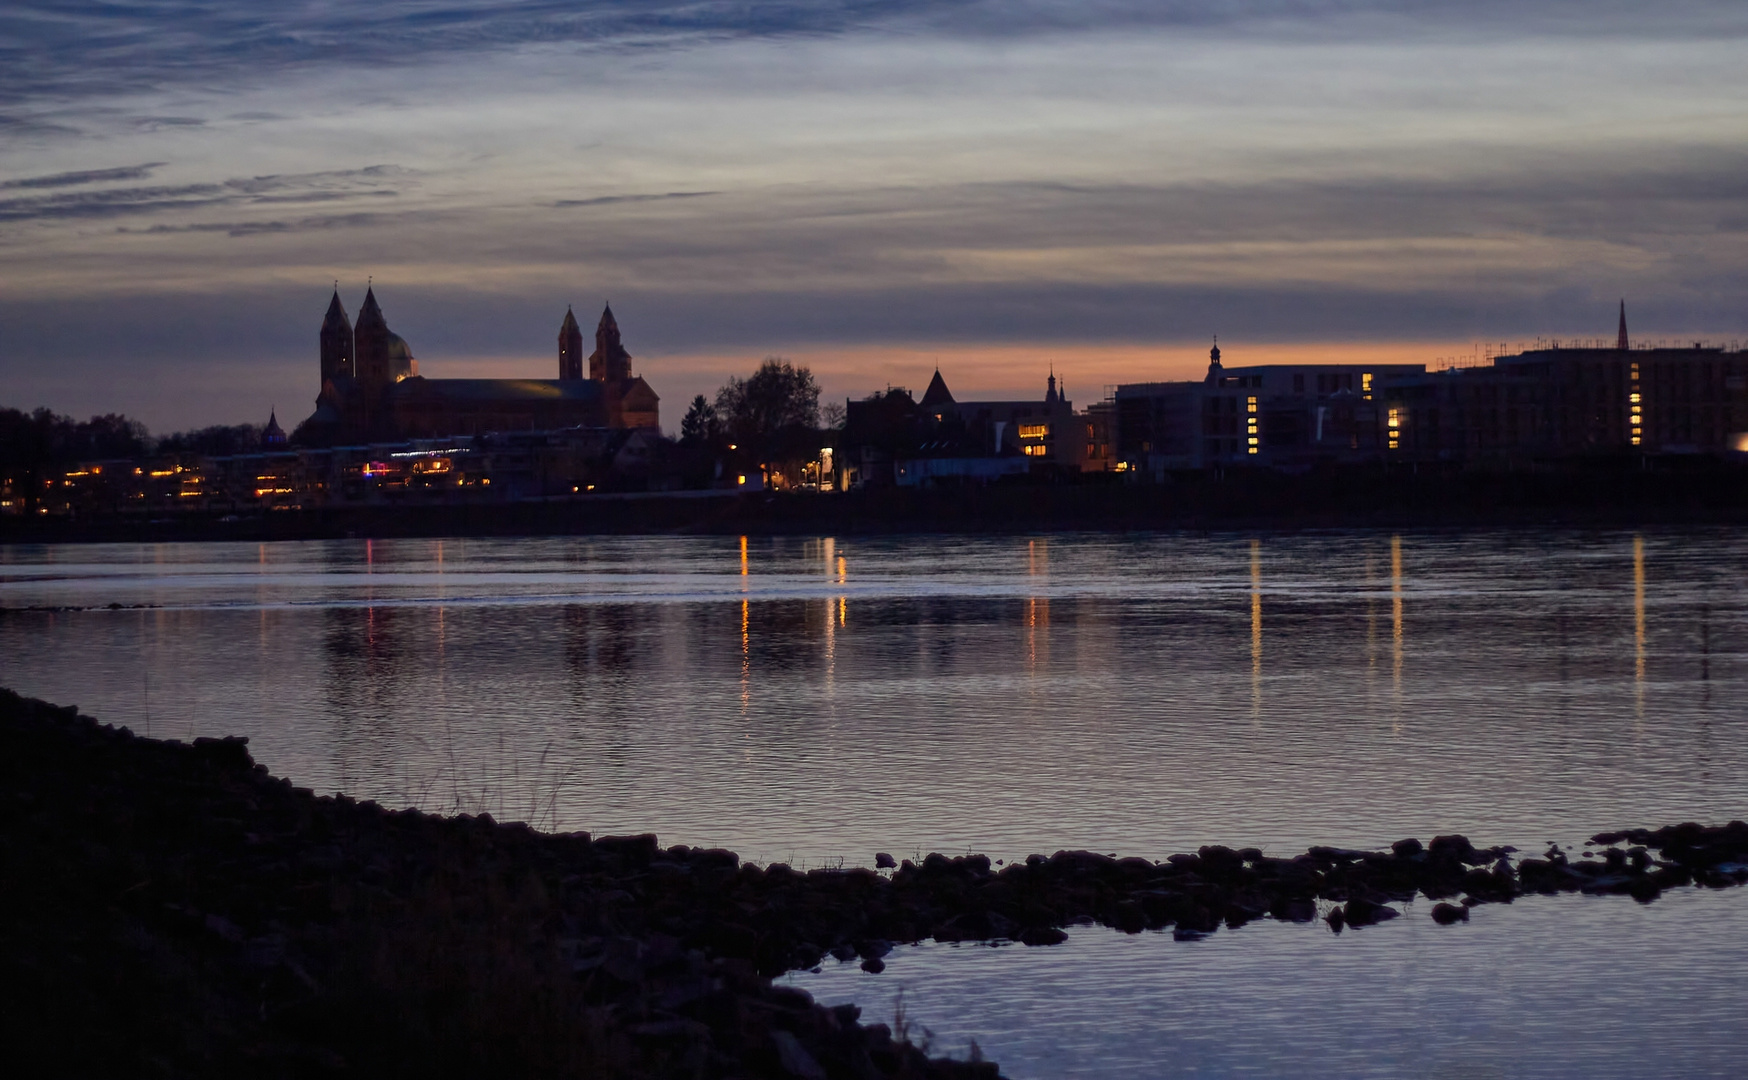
pixel 190 915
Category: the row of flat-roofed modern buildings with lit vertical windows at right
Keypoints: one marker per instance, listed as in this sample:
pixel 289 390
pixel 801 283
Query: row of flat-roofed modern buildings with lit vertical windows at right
pixel 1539 405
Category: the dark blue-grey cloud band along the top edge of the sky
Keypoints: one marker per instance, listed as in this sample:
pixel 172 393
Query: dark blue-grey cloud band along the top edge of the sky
pixel 73 52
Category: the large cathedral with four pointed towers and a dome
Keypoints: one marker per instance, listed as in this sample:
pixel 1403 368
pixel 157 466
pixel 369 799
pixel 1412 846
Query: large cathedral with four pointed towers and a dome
pixel 371 387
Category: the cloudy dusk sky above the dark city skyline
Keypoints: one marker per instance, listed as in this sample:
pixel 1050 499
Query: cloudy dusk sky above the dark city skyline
pixel 868 188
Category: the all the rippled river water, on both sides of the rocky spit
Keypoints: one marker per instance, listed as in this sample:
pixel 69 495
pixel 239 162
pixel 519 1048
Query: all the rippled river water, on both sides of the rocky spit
pixel 822 700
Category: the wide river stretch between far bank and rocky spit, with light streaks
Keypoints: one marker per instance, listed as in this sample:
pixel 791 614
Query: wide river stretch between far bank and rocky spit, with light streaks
pixel 822 700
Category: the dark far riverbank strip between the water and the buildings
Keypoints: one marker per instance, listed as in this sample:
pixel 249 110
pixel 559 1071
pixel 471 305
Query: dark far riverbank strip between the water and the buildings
pixel 1616 494
